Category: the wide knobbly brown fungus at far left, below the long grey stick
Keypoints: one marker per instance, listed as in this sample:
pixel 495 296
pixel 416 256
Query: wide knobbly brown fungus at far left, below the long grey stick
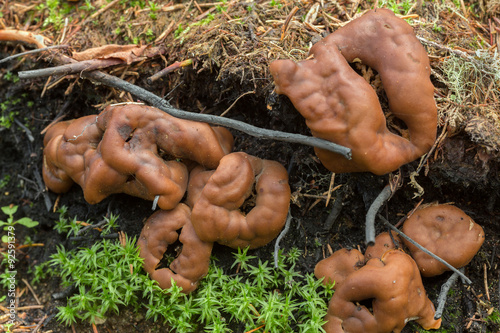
pixel 133 149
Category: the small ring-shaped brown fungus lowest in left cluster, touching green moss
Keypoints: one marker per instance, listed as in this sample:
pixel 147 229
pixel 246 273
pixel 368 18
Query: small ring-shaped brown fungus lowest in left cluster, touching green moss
pixel 161 231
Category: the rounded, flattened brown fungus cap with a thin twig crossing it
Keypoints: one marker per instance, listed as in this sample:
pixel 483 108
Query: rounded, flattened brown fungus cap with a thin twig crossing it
pixel 446 231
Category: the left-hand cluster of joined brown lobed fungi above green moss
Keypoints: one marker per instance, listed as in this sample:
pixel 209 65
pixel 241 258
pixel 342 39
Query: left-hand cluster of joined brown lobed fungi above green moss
pixel 144 152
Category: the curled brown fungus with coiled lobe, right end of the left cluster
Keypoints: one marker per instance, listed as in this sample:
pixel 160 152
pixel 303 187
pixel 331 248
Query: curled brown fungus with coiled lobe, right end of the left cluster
pixel 217 215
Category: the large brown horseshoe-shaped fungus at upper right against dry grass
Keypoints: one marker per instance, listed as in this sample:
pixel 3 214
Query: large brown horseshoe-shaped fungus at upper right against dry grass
pixel 340 106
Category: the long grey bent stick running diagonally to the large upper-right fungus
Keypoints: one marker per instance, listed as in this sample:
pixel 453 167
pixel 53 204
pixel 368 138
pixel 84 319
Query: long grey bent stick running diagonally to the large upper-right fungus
pixel 163 105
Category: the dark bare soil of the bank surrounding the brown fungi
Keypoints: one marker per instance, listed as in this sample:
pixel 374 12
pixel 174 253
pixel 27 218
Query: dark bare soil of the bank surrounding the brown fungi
pixel 460 171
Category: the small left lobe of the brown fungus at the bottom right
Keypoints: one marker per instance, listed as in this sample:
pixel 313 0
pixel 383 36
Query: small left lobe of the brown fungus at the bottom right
pixel 337 267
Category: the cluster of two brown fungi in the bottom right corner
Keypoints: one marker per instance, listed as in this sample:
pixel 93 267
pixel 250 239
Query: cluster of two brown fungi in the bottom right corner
pixel 381 290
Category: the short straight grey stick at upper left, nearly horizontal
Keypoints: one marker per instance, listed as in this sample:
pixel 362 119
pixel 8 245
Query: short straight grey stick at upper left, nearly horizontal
pixel 77 67
